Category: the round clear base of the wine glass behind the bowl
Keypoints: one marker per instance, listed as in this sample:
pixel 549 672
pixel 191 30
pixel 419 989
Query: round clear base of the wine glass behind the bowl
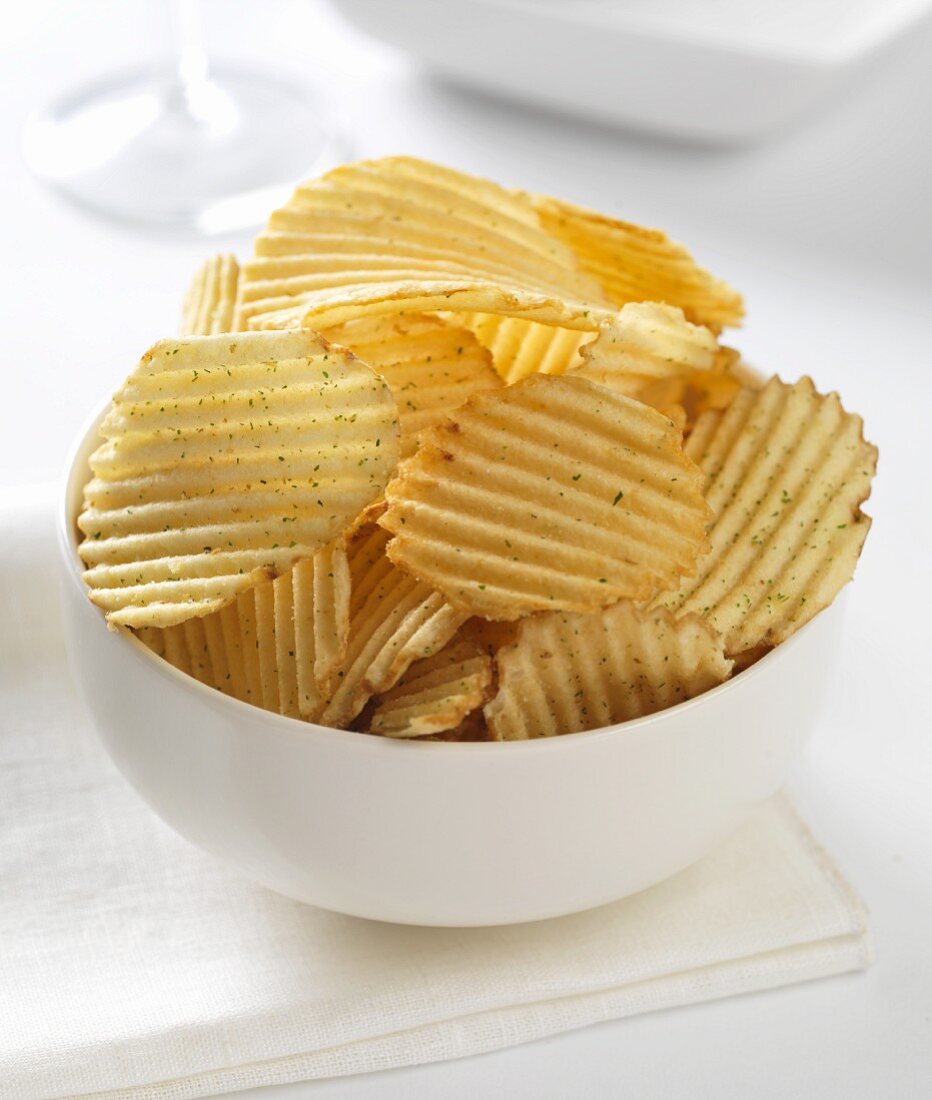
pixel 206 160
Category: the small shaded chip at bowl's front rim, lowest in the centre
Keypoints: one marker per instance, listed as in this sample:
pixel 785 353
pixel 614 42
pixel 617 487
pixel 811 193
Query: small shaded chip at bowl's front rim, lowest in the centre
pixel 436 695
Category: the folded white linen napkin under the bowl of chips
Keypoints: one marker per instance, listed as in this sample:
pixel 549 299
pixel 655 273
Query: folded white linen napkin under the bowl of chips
pixel 134 967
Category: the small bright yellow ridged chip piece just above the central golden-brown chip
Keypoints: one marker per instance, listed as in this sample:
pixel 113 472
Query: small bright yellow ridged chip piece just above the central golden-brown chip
pixel 520 348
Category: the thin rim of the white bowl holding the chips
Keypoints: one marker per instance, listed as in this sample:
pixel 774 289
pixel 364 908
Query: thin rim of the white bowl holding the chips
pixel 280 724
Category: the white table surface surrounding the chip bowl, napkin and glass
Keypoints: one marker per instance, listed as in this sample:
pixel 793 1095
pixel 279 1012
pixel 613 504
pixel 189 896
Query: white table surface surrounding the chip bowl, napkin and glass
pixel 829 235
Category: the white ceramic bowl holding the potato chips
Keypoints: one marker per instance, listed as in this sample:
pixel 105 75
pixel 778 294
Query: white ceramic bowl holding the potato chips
pixel 433 833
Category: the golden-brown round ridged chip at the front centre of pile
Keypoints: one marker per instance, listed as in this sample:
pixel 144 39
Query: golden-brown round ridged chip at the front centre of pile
pixel 551 494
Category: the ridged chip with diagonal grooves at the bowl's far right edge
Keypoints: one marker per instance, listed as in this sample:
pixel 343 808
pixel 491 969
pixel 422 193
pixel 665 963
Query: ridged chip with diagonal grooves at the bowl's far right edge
pixel 785 470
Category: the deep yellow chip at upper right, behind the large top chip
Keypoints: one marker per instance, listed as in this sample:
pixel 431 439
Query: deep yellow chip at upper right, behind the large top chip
pixel 638 265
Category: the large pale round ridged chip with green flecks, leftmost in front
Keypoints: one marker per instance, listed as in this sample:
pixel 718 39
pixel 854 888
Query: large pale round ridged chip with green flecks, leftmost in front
pixel 226 459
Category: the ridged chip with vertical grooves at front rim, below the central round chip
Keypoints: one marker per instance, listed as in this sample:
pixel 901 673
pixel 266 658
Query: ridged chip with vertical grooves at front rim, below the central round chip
pixel 571 673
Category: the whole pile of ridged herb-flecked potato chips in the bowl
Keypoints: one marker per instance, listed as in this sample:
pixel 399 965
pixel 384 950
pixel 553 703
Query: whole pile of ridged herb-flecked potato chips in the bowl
pixel 449 461
